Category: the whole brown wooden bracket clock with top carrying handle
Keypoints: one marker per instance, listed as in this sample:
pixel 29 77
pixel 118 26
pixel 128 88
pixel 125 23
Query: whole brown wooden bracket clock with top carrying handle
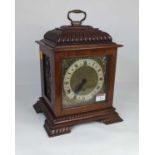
pixel 77 76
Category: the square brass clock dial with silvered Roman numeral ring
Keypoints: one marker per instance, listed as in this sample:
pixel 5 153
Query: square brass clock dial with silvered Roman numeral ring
pixel 83 80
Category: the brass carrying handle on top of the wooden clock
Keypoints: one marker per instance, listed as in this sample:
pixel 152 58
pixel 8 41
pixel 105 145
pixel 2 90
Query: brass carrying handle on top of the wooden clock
pixel 76 23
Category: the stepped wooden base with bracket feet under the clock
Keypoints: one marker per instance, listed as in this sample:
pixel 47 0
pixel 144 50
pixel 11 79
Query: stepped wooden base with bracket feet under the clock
pixel 60 125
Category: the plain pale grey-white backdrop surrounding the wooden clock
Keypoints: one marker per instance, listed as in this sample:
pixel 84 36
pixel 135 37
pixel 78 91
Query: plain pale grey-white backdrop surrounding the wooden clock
pixel 118 18
